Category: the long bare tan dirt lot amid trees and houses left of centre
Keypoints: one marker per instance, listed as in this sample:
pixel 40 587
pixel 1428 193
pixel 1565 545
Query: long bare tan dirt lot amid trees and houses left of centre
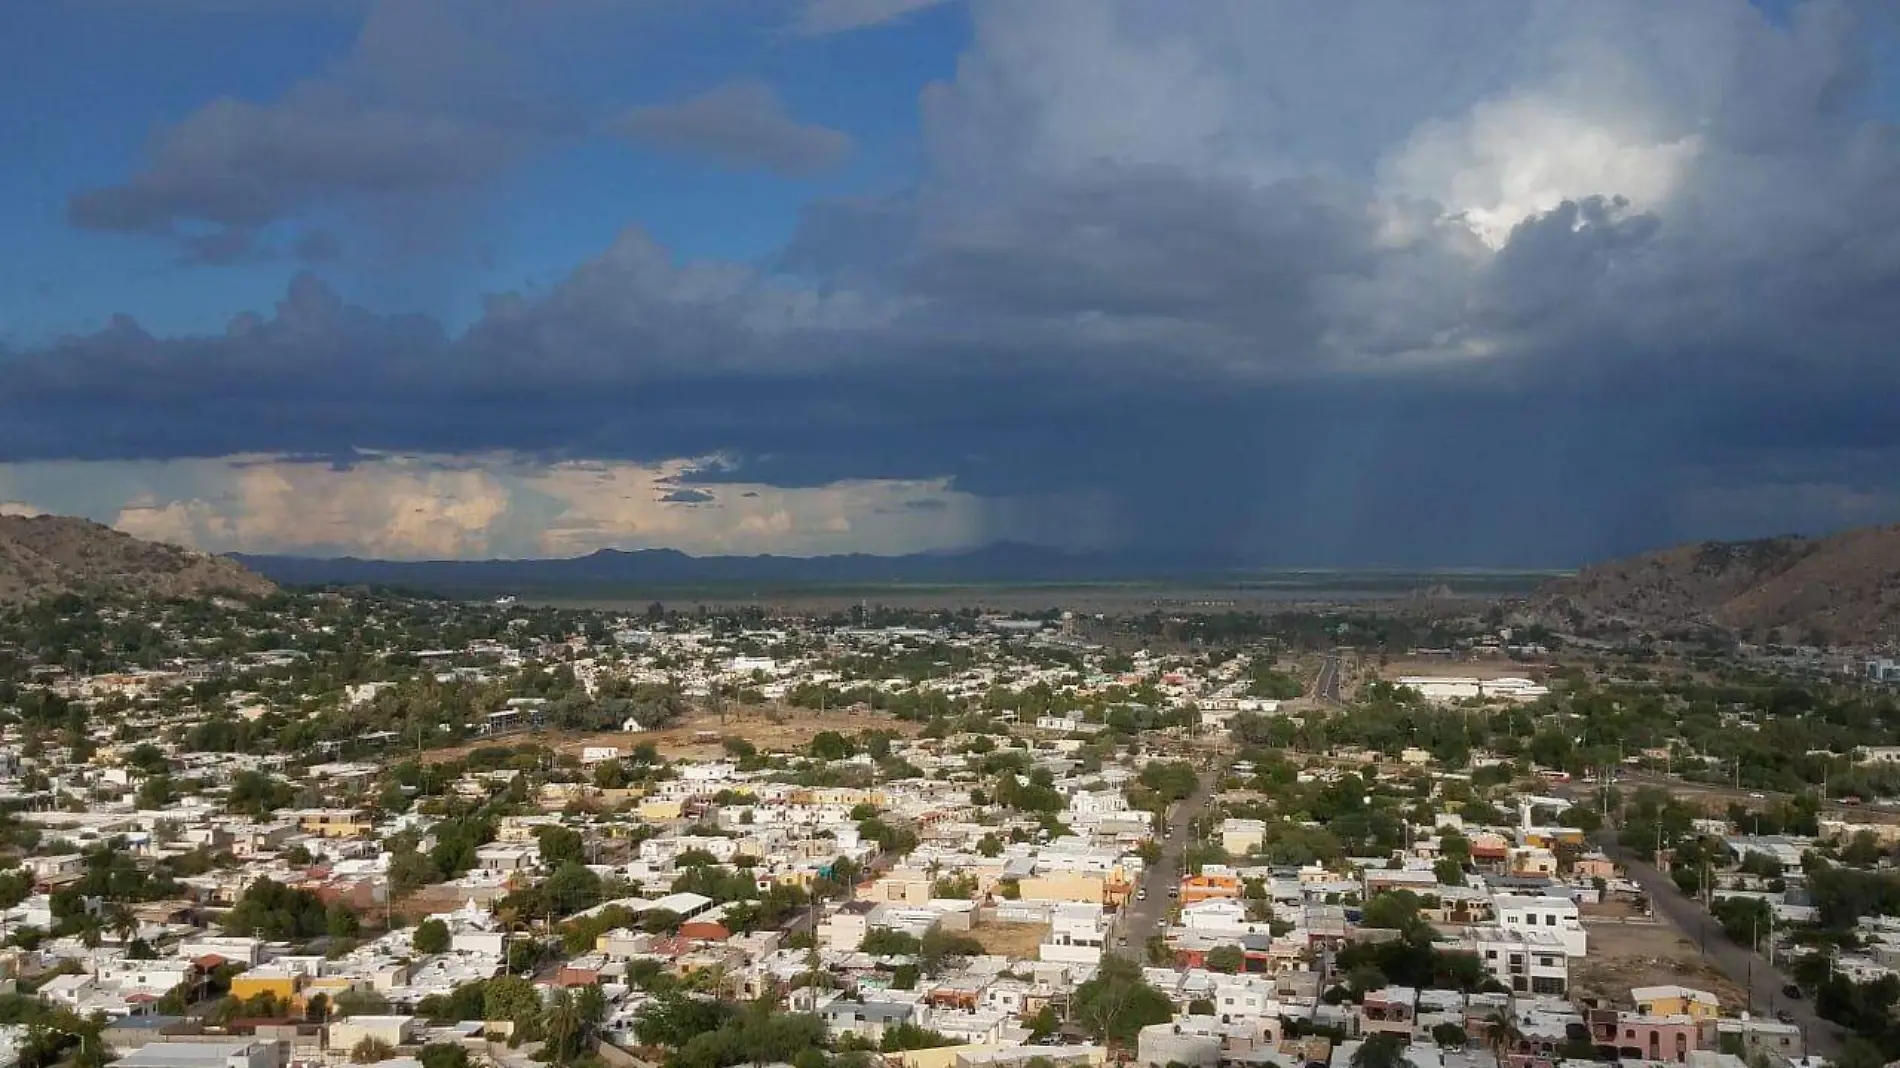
pixel 698 734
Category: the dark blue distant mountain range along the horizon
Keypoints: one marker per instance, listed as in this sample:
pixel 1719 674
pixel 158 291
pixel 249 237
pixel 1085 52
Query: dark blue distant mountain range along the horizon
pixel 613 569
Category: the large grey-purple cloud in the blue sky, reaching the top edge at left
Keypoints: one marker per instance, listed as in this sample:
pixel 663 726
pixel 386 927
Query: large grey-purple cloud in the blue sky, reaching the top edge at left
pixel 425 104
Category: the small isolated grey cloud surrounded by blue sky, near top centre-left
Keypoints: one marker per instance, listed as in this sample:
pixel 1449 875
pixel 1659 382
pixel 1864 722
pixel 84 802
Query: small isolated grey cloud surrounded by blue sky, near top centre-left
pixel 740 126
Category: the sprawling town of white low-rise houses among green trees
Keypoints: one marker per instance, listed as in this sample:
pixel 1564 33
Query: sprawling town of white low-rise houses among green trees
pixel 343 828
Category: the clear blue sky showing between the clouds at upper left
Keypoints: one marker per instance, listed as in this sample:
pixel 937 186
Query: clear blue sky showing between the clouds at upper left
pixel 94 83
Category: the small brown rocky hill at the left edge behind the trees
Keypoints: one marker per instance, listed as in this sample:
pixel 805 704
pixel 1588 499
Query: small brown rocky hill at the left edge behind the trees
pixel 48 556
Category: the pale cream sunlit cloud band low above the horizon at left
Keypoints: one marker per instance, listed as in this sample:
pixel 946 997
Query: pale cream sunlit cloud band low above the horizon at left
pixel 489 506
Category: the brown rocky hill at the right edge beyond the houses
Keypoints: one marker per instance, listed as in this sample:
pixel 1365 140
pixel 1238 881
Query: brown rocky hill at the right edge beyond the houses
pixel 1844 590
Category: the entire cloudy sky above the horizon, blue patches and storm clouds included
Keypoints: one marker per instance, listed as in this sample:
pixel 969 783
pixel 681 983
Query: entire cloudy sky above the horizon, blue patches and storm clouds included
pixel 1371 282
